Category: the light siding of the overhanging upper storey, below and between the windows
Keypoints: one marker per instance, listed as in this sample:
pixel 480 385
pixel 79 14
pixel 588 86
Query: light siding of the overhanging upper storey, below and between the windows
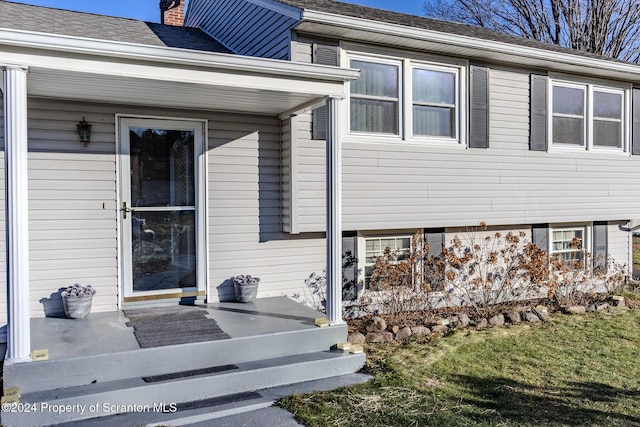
pixel 391 186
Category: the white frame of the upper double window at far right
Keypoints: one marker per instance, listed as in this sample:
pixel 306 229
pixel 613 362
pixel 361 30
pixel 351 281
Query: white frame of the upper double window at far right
pixel 589 86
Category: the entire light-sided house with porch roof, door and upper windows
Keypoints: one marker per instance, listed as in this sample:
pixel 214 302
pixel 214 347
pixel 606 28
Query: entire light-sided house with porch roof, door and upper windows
pixel 209 156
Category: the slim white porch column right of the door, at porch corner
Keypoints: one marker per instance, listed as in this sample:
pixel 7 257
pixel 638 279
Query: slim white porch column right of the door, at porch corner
pixel 334 214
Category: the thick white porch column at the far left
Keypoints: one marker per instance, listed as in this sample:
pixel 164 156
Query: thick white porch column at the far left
pixel 17 223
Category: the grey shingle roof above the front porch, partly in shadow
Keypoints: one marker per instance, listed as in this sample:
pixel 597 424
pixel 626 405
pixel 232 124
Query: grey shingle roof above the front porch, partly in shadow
pixel 25 17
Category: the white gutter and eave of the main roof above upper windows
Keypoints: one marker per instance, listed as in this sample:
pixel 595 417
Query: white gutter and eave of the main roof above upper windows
pixel 400 36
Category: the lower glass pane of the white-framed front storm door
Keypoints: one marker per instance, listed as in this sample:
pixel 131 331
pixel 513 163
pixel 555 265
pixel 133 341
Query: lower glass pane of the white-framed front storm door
pixel 163 250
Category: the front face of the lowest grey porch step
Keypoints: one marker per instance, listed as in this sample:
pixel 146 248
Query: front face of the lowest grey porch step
pixel 255 375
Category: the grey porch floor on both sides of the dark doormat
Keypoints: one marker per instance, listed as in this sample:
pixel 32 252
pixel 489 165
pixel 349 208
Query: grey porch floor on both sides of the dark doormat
pixel 107 332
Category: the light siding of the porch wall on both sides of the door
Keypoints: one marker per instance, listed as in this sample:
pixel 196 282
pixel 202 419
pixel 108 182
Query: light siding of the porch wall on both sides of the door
pixel 73 211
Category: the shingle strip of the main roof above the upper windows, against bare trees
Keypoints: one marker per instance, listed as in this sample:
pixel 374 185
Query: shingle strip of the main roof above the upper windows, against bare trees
pixel 414 21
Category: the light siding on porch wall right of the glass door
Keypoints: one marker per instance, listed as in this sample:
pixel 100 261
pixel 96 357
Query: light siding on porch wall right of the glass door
pixel 244 211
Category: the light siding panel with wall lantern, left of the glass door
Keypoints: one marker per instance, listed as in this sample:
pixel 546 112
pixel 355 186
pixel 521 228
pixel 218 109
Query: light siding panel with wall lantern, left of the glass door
pixel 72 204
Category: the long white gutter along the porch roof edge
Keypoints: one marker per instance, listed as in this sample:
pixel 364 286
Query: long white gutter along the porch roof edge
pixel 174 56
